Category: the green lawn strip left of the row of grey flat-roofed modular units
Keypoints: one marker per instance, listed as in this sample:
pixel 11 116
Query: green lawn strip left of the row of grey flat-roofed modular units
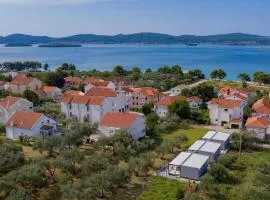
pixel 192 134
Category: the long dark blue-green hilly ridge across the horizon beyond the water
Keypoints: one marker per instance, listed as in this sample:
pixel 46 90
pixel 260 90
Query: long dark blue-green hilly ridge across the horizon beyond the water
pixel 146 38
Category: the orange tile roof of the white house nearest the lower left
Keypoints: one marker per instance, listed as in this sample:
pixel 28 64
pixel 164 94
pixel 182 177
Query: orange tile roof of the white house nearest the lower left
pixel 24 119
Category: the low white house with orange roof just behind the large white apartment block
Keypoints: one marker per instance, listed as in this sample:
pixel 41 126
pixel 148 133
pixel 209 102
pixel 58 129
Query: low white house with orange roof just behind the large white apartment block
pixel 93 82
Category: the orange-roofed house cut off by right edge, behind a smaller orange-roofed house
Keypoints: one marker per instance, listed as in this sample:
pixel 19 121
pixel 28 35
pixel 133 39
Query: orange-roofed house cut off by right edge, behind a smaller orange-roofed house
pixel 262 108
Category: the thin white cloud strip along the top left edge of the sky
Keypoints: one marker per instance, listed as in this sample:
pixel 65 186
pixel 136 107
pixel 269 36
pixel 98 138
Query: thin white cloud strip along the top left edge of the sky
pixel 50 2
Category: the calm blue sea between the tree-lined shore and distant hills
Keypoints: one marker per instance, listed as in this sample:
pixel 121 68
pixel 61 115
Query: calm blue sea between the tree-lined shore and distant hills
pixel 233 59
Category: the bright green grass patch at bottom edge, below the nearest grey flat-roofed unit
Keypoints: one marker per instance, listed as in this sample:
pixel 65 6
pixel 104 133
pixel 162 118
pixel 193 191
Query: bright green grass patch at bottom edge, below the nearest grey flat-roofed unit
pixel 162 188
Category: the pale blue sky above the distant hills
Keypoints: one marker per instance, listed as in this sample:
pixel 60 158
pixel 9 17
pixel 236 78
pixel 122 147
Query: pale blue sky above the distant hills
pixel 59 18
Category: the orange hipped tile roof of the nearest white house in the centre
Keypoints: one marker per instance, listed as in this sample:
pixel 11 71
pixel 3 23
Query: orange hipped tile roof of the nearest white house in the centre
pixel 119 119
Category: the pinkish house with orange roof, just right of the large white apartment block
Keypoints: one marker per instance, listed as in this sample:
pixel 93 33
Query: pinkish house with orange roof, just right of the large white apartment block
pixel 142 96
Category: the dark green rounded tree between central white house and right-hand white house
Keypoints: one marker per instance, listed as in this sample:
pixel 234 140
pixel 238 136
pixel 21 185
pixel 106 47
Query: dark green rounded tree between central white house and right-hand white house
pixel 181 108
